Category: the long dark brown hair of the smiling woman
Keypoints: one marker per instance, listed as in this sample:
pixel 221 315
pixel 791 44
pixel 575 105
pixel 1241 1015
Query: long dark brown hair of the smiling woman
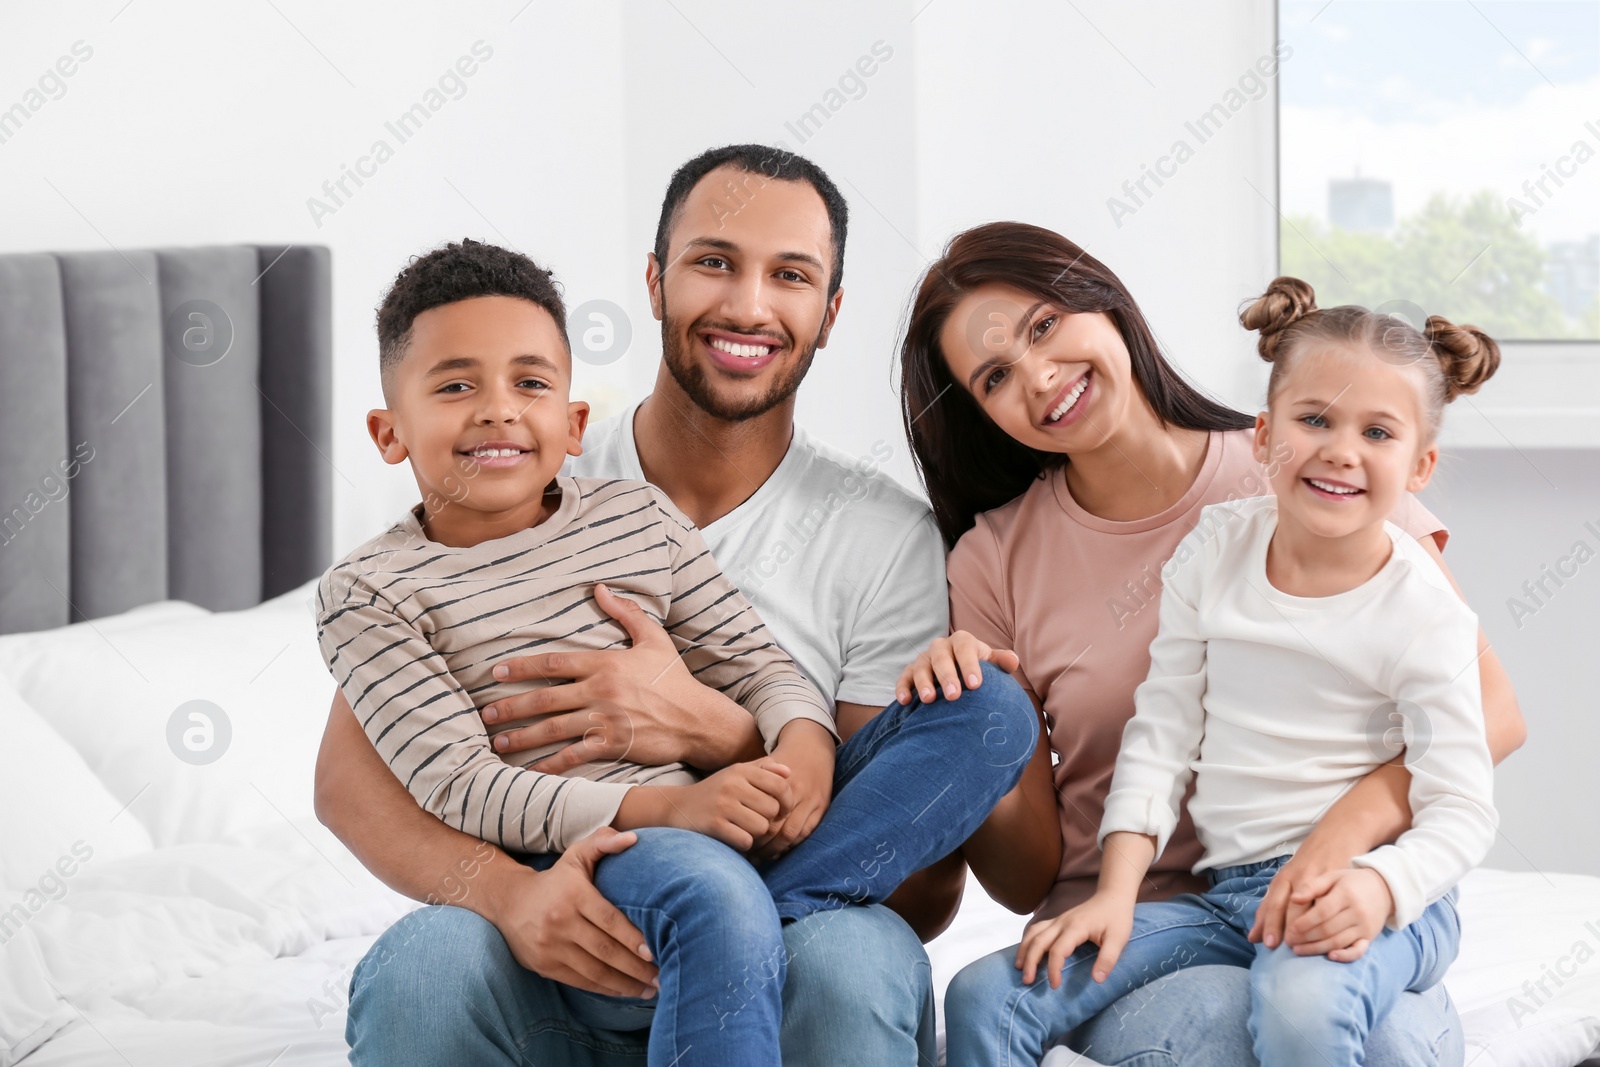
pixel 967 463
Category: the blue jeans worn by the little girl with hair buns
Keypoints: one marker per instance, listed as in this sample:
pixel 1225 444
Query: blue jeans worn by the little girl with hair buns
pixel 1305 1010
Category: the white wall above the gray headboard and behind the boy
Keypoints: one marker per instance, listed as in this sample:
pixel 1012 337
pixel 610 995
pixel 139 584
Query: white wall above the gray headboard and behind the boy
pixel 202 124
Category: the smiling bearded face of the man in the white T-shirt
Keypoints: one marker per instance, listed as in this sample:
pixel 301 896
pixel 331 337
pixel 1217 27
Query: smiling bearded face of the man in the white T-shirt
pixel 745 297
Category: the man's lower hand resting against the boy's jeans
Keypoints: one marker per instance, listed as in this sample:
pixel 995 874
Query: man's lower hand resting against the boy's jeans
pixel 558 924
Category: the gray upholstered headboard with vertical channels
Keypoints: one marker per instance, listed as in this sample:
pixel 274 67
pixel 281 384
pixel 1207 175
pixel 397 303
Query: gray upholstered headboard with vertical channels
pixel 164 430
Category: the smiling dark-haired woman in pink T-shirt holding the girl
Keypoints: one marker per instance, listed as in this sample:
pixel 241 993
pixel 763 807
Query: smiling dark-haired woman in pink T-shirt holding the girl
pixel 1066 460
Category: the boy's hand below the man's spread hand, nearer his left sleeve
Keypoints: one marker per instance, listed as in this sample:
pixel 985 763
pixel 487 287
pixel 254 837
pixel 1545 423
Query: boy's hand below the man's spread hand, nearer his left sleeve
pixel 737 805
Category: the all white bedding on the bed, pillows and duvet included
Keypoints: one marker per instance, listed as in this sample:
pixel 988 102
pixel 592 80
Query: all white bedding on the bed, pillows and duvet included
pixel 218 924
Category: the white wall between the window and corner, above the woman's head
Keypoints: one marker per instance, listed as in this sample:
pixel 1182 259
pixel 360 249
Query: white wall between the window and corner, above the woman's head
pixel 1041 113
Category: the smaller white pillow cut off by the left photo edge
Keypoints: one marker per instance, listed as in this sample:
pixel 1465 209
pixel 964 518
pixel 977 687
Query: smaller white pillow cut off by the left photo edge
pixel 57 815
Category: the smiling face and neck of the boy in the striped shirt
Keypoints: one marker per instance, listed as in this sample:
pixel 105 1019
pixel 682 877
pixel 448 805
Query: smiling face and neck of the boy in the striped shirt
pixel 481 409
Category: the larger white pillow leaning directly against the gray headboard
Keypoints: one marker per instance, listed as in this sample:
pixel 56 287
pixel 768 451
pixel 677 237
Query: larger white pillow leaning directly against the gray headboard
pixel 122 693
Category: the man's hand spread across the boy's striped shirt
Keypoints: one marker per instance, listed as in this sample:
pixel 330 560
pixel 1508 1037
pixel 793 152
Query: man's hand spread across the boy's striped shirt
pixel 639 705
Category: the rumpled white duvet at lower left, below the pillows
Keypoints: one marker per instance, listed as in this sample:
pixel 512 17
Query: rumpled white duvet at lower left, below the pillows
pixel 198 954
